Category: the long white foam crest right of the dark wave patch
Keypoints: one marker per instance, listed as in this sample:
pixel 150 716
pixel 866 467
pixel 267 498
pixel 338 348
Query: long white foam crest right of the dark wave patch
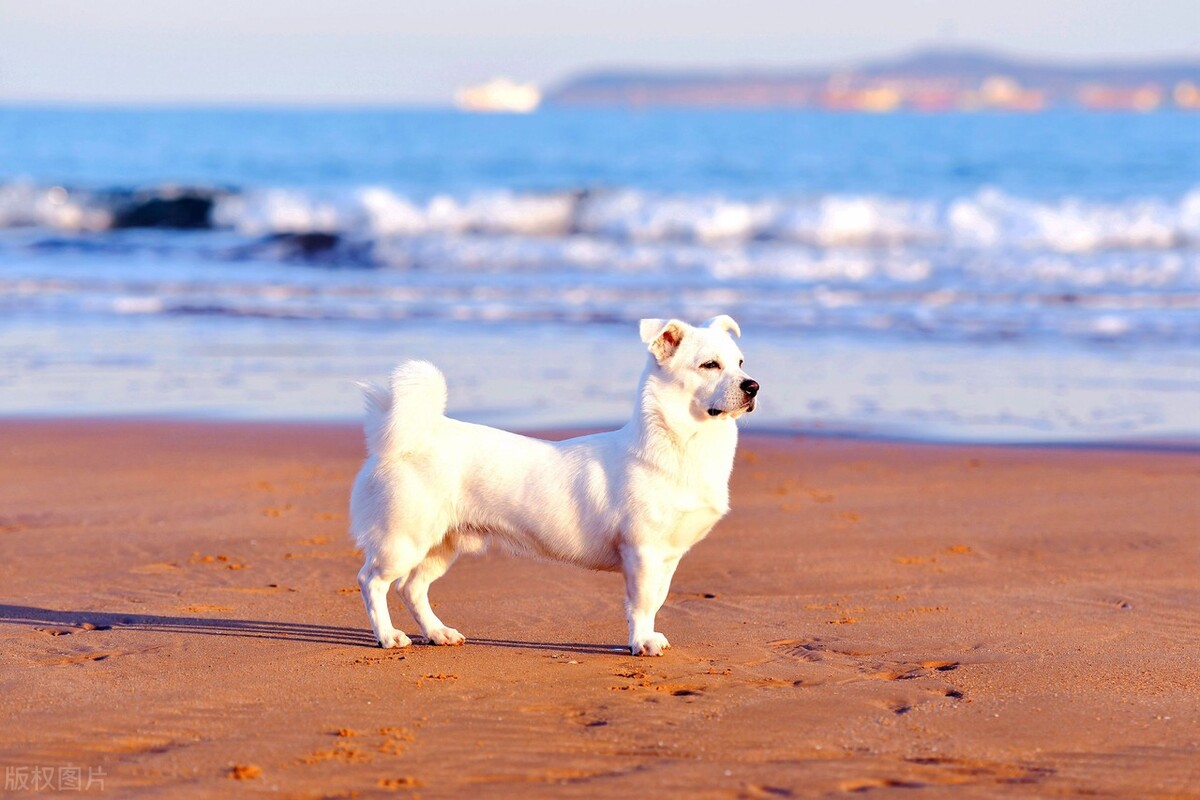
pixel 987 220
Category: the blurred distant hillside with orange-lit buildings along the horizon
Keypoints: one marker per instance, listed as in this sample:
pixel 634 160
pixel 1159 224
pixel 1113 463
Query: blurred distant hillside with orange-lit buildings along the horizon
pixel 938 80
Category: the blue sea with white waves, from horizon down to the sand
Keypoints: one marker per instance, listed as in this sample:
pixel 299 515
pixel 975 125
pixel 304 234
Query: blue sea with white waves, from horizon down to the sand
pixel 976 278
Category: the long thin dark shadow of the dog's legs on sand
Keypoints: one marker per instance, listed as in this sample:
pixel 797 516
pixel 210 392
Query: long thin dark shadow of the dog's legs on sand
pixel 59 623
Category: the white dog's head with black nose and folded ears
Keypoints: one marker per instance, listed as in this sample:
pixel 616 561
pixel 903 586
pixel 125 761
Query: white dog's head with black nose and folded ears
pixel 704 364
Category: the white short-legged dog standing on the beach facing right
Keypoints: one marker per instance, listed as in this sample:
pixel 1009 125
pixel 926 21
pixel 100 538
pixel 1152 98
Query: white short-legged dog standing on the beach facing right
pixel 634 500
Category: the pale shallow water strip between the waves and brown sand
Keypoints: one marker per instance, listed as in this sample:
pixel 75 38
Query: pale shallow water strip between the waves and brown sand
pixel 269 371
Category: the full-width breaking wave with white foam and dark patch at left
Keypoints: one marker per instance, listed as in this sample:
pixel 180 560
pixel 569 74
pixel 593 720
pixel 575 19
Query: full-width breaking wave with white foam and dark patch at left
pixel 989 219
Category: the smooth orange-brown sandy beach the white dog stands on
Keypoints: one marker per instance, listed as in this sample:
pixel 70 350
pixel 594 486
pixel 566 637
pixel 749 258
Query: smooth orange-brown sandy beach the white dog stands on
pixel 179 612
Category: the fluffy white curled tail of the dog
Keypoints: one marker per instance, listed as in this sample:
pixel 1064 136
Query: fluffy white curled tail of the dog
pixel 401 418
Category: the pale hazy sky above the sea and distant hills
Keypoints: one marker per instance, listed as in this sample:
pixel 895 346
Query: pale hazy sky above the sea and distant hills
pixel 367 52
